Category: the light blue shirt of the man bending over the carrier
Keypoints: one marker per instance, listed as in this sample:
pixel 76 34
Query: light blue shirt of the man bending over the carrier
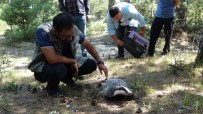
pixel 128 11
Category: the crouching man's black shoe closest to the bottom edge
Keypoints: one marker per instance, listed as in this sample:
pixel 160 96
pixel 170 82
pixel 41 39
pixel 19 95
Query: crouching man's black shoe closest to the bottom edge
pixel 54 92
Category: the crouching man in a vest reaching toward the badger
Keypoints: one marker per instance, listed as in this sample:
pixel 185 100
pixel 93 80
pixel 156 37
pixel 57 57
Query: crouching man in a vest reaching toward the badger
pixel 55 58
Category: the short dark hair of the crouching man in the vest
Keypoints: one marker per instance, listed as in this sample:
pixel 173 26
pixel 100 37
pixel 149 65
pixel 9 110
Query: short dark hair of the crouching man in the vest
pixel 62 21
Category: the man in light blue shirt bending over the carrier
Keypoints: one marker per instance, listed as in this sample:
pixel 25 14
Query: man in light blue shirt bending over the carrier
pixel 120 17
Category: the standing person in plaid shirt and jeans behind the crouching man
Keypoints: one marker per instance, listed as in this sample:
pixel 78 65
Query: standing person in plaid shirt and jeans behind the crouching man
pixel 79 9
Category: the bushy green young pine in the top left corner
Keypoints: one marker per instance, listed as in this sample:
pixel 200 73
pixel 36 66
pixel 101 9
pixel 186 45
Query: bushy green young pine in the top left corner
pixel 23 12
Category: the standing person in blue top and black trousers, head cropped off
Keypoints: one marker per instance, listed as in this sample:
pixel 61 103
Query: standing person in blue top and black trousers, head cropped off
pixel 163 18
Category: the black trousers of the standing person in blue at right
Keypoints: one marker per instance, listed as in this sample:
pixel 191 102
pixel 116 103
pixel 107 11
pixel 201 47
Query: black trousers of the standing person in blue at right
pixel 157 25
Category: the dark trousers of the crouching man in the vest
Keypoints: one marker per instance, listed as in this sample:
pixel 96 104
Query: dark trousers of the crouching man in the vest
pixel 54 73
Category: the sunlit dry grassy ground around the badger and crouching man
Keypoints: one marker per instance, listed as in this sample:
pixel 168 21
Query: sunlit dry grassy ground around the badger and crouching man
pixel 164 85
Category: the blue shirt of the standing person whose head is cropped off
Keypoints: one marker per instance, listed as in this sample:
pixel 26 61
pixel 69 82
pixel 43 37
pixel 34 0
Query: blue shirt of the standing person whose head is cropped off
pixel 165 9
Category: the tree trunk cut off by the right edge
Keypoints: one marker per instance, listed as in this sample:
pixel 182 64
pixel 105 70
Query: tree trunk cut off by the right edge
pixel 199 58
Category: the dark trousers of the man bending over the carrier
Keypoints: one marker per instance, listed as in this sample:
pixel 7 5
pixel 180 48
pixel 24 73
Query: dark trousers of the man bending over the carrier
pixel 120 33
